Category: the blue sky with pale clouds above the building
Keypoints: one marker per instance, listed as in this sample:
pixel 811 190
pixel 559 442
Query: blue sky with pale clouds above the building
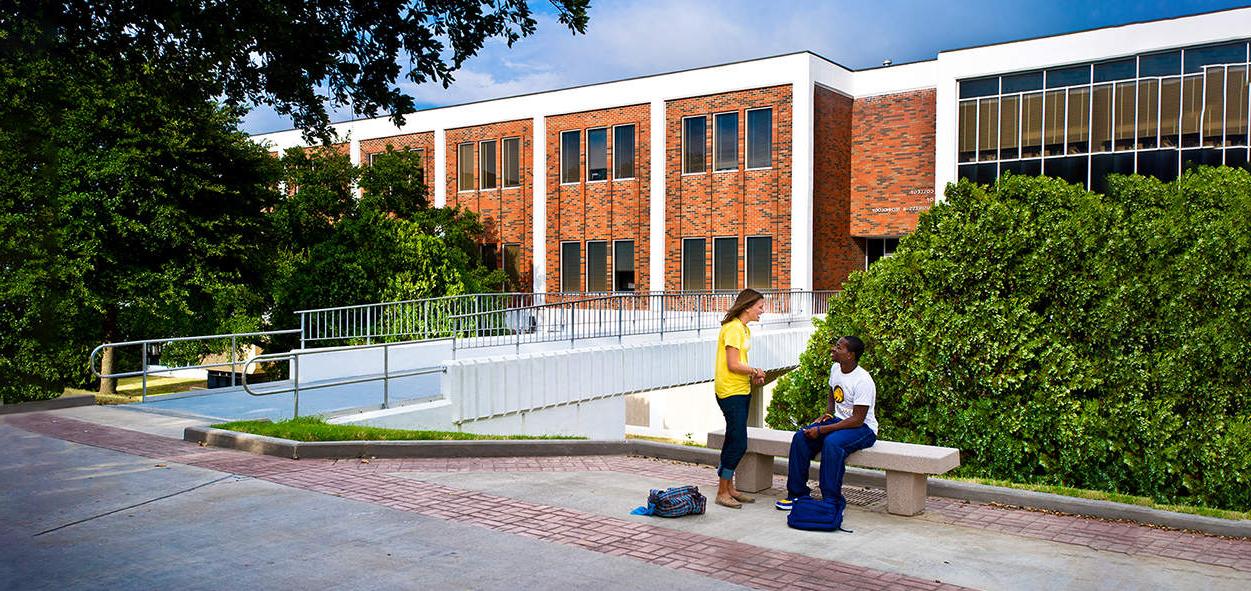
pixel 632 38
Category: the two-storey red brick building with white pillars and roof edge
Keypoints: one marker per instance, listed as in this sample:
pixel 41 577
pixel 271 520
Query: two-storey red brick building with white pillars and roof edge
pixel 793 172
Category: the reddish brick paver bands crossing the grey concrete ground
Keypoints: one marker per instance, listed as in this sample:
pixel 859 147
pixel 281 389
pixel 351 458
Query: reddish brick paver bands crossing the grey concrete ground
pixel 375 481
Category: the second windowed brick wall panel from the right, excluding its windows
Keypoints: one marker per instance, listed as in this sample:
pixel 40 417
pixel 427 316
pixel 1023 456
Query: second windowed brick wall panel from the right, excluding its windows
pixel 614 210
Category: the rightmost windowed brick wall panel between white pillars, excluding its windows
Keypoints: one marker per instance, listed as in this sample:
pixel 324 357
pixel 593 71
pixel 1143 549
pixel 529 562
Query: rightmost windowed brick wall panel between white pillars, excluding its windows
pixel 736 203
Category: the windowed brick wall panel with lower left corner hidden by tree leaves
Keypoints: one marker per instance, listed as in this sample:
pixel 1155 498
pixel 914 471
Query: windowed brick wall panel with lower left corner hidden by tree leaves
pixel 506 213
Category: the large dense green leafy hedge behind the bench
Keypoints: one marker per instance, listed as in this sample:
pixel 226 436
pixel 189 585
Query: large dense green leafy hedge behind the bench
pixel 1064 337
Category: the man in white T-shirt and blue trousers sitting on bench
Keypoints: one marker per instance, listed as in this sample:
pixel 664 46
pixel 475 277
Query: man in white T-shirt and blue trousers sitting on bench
pixel 848 426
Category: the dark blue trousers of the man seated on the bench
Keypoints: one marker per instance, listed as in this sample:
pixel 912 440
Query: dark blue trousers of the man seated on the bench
pixel 834 449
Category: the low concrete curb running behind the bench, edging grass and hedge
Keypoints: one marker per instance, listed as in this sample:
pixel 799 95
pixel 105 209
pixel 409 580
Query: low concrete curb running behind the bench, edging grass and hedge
pixel 939 488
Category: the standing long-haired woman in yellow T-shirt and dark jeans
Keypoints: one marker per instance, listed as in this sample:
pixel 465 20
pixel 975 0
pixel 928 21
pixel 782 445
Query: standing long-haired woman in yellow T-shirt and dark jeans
pixel 734 385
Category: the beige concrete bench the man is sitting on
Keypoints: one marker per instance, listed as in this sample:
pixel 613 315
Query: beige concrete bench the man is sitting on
pixel 906 465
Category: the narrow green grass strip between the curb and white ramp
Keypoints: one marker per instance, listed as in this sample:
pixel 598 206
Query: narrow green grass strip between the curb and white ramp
pixel 315 429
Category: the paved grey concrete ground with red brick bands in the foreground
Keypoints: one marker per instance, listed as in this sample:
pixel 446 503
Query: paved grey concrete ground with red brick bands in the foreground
pixel 103 498
